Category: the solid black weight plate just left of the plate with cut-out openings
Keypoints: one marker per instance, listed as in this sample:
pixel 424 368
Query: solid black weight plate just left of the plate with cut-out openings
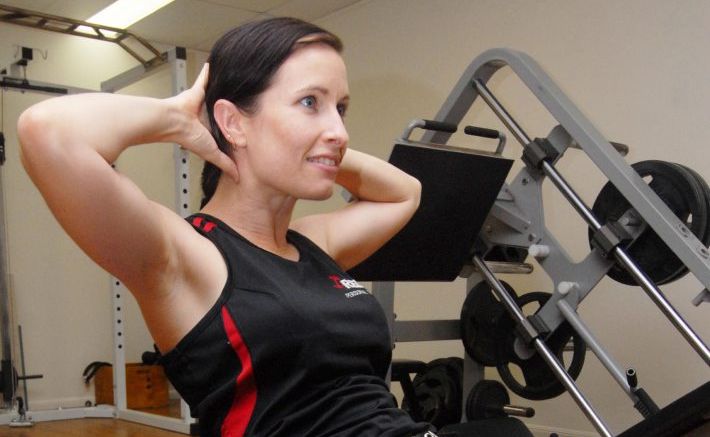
pixel 480 315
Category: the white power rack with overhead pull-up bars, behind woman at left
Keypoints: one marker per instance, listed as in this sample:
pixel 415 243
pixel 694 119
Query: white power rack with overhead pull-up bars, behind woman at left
pixel 12 78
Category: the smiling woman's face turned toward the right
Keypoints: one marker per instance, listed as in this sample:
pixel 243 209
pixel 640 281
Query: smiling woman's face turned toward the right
pixel 297 137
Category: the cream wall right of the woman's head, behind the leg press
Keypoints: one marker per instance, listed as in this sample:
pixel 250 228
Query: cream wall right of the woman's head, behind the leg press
pixel 637 69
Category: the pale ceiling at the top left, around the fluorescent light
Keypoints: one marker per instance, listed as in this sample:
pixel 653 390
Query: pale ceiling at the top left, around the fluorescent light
pixel 194 24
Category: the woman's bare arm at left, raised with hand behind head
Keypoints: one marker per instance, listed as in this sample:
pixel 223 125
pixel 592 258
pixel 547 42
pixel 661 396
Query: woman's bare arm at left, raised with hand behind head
pixel 67 147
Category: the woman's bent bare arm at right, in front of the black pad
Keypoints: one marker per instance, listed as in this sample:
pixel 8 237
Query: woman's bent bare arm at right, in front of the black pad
pixel 387 199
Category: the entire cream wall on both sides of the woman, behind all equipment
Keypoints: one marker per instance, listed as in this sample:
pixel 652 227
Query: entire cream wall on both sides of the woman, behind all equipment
pixel 638 69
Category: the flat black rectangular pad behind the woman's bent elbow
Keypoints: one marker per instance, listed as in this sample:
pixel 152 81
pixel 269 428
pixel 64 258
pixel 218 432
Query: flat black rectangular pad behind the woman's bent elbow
pixel 459 187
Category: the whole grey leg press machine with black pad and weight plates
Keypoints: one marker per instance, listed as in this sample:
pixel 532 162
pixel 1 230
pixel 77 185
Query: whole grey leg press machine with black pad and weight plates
pixel 640 233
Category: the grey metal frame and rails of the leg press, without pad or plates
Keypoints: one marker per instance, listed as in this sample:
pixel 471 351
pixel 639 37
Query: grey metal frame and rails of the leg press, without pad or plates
pixel 516 220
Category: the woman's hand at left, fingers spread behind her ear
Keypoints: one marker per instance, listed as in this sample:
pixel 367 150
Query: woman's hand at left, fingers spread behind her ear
pixel 193 133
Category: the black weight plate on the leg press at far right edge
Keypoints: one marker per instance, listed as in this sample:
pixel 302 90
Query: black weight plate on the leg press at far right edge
pixel 683 195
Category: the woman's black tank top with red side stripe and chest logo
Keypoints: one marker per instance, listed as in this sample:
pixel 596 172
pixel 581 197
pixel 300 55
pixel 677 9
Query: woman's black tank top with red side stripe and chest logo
pixel 290 348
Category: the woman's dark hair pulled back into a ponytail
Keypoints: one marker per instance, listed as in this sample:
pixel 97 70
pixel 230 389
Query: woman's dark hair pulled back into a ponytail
pixel 242 63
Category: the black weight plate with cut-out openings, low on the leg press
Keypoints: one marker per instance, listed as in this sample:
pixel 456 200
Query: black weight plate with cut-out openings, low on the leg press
pixel 539 381
